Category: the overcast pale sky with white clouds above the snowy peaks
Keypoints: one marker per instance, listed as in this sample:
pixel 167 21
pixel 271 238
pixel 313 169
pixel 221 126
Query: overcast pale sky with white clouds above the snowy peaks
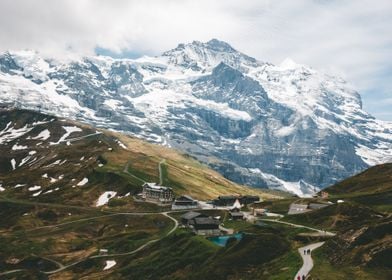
pixel 349 38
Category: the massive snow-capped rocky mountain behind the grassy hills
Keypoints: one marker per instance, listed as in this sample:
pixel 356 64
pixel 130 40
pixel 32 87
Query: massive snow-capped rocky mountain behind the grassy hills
pixel 288 126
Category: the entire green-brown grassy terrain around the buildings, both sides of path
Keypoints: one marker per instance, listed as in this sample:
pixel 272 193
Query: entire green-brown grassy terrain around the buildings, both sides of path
pixel 51 181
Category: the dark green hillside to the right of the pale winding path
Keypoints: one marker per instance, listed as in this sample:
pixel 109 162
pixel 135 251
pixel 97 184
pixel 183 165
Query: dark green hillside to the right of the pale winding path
pixel 363 223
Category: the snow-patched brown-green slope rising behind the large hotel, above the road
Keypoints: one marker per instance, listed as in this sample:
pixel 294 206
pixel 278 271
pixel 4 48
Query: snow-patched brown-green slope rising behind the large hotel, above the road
pixel 47 159
